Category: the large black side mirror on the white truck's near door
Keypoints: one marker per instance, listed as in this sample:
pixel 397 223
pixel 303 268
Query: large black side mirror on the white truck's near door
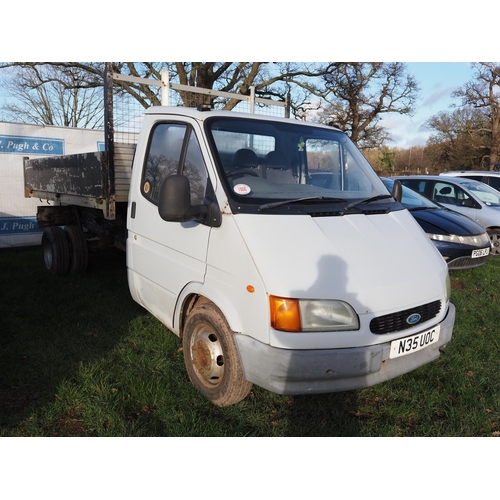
pixel 175 203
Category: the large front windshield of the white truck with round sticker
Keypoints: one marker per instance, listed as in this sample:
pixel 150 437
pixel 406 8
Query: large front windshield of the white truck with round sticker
pixel 270 163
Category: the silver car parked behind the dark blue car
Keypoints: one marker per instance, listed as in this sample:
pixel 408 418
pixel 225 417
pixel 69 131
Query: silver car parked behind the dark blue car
pixel 472 198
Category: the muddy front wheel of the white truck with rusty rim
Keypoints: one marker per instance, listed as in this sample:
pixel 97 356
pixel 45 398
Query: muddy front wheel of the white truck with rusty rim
pixel 211 357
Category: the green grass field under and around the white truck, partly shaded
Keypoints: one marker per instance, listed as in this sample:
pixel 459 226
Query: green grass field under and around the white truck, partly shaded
pixel 79 358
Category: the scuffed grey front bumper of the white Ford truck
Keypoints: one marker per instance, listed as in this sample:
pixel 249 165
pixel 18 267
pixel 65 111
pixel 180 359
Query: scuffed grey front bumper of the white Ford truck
pixel 289 371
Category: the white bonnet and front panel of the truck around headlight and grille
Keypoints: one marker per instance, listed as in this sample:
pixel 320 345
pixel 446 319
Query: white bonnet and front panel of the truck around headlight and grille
pixel 353 258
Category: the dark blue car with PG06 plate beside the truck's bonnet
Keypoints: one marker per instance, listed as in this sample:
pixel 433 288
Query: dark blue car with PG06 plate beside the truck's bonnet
pixel 463 243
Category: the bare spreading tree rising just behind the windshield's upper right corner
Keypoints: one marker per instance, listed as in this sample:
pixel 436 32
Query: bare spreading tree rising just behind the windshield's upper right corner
pixel 358 94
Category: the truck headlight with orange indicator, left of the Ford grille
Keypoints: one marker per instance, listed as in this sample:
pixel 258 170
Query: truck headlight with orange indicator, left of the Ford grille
pixel 301 315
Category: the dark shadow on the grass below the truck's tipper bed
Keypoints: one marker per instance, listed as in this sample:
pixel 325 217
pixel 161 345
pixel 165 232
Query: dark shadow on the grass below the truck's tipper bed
pixel 50 325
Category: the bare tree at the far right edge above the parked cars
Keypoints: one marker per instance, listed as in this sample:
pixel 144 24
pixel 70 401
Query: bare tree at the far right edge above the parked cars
pixel 483 93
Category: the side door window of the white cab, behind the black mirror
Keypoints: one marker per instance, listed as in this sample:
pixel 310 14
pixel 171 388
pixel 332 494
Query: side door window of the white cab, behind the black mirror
pixel 174 149
